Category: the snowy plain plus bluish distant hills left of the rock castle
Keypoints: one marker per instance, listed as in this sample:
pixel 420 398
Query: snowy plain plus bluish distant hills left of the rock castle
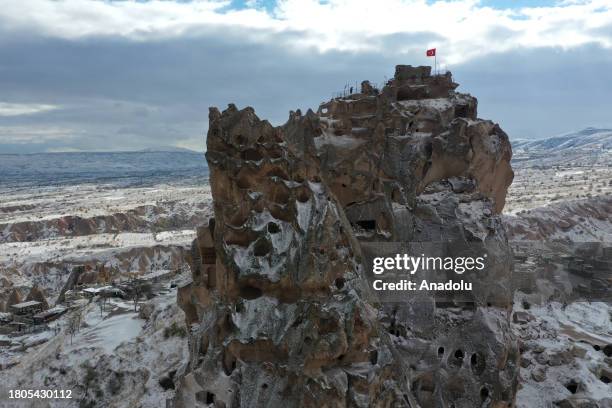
pixel 130 213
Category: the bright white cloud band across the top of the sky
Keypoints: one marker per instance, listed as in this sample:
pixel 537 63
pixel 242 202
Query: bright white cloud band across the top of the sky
pixel 461 29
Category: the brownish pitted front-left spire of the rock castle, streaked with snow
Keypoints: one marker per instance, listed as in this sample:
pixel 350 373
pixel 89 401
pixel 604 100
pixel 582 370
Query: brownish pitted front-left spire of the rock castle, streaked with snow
pixel 277 306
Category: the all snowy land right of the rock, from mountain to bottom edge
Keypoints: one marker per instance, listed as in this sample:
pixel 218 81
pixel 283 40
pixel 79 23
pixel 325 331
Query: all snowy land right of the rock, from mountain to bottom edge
pixel 560 201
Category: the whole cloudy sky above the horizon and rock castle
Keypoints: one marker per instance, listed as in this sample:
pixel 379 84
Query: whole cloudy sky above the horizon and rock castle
pixel 132 74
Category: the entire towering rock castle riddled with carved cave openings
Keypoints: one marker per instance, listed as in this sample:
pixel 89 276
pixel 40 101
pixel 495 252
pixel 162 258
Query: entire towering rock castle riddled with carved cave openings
pixel 280 309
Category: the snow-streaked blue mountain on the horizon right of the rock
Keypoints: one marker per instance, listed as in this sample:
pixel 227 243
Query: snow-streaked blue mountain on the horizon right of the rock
pixel 586 139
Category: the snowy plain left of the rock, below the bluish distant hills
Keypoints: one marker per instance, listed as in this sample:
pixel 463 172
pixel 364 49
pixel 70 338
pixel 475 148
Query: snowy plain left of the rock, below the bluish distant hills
pixel 47 230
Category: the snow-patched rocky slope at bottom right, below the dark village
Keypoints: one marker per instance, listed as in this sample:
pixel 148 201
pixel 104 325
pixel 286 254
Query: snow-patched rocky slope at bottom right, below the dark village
pixel 564 353
